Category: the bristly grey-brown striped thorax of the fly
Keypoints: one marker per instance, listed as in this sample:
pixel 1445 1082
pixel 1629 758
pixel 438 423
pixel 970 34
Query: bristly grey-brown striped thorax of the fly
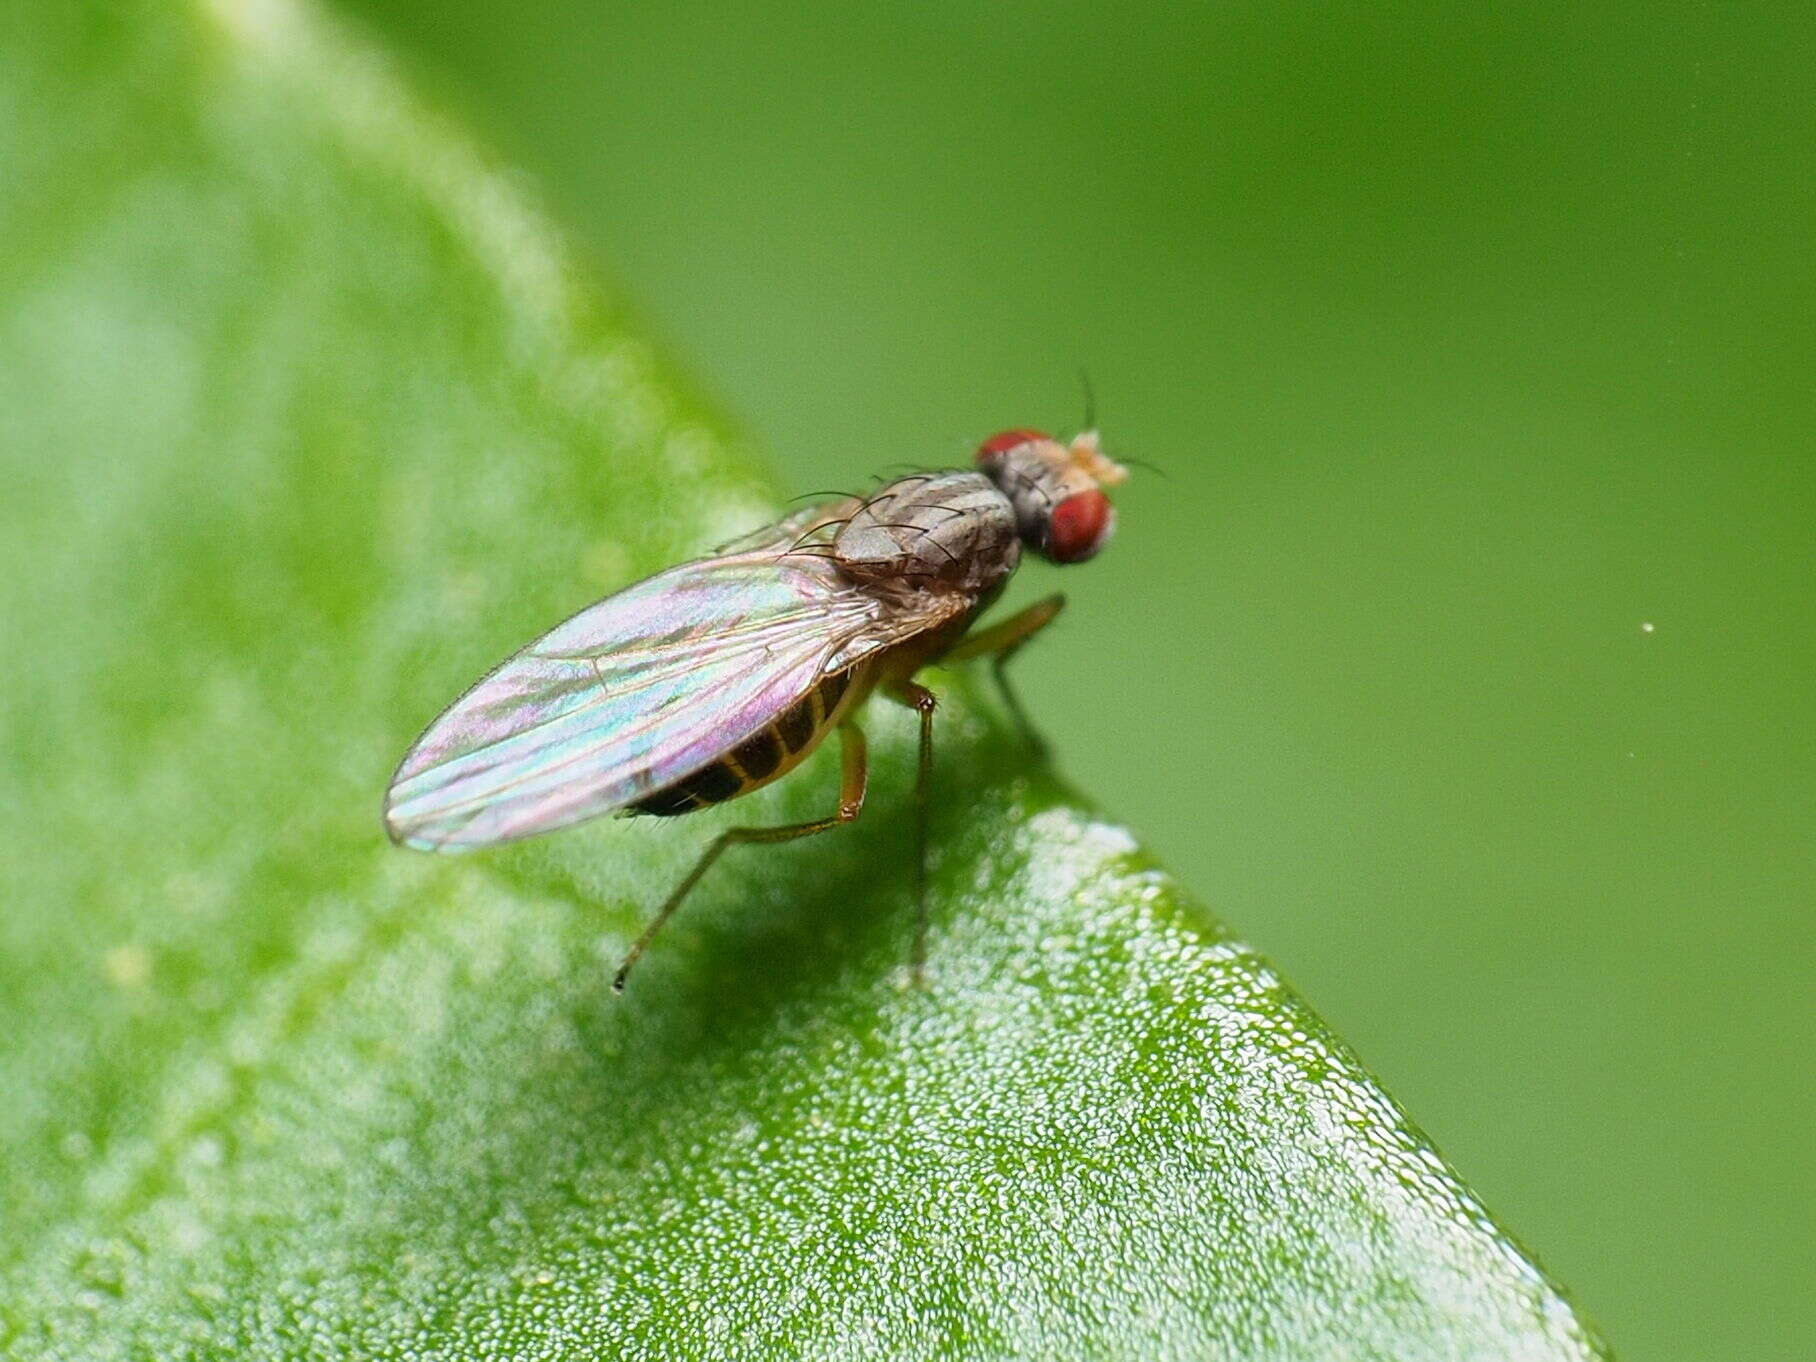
pixel 942 529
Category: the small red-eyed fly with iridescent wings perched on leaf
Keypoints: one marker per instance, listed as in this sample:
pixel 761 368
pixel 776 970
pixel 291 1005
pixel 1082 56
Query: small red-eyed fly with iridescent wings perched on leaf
pixel 718 676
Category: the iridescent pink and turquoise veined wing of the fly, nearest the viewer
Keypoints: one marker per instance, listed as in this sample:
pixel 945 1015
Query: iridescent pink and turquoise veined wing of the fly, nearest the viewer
pixel 635 695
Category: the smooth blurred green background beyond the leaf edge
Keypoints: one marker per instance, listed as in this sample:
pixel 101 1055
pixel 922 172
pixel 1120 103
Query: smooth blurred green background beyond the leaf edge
pixel 1463 656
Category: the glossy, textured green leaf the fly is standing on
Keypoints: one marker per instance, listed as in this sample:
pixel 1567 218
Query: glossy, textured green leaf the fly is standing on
pixel 308 422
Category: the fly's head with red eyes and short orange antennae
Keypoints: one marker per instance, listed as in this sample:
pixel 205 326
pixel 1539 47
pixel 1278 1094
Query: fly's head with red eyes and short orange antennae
pixel 1058 491
